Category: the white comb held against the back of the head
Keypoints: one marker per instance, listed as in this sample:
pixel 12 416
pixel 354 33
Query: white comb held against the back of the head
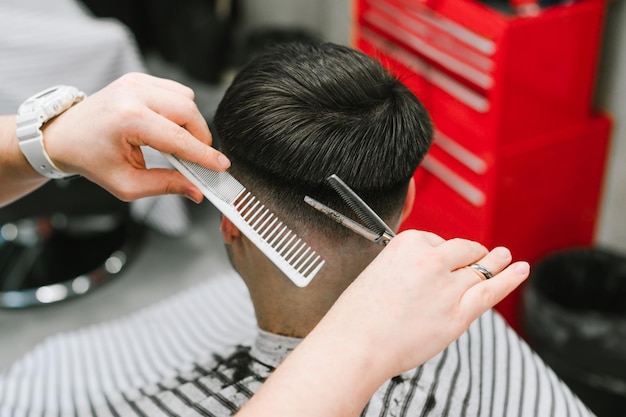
pixel 293 256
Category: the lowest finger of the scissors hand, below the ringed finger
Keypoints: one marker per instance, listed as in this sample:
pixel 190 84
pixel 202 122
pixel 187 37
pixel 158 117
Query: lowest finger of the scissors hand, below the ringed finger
pixel 480 297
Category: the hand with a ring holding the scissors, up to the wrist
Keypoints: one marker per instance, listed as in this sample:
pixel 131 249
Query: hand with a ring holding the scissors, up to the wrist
pixel 418 296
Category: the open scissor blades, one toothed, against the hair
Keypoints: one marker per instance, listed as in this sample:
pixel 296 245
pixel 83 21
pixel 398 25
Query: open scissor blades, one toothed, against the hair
pixel 375 229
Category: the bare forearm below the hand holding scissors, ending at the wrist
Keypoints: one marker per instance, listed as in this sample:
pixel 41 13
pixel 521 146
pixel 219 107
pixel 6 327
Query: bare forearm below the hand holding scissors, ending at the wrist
pixel 329 374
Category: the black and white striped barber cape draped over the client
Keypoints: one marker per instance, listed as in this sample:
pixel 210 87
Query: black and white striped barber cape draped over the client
pixel 162 361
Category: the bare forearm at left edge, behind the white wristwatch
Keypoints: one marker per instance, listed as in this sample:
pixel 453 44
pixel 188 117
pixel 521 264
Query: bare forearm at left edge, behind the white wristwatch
pixel 17 177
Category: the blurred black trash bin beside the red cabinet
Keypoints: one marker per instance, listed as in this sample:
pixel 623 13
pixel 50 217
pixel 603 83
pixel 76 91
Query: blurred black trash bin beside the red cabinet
pixel 575 318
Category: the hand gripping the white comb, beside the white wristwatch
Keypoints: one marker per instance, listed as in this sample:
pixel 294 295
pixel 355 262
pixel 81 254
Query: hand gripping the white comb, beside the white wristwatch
pixel 100 138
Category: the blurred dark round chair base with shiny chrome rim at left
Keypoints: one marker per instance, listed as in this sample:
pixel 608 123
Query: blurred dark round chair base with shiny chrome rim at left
pixel 63 241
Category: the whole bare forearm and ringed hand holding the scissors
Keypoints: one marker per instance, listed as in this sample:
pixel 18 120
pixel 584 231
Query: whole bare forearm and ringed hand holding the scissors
pixel 409 304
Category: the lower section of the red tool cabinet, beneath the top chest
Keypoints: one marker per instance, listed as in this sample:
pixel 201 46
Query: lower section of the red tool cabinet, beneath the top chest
pixel 534 199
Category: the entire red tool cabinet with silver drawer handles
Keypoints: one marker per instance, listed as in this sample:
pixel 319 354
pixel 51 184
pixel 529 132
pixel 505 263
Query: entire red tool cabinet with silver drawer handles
pixel 519 154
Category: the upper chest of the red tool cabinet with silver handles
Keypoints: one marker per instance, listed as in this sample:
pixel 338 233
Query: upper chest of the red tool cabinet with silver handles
pixel 501 77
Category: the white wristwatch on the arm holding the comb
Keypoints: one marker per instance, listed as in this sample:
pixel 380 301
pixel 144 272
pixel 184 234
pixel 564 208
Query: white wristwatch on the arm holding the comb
pixel 32 115
